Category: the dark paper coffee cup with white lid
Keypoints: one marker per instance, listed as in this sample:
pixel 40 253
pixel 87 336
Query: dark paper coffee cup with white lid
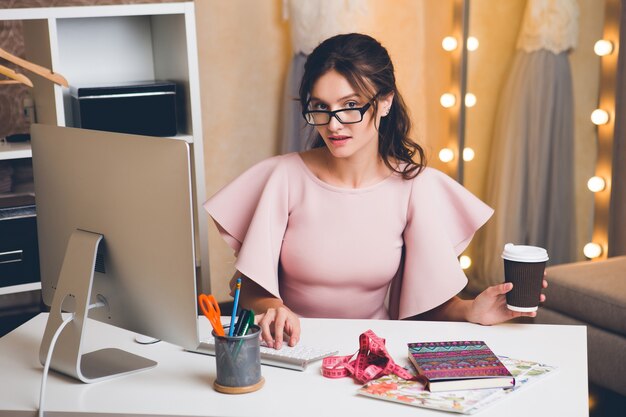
pixel 524 266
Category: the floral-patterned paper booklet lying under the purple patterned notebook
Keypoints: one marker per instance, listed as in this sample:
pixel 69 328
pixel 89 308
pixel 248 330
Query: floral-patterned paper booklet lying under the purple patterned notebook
pixel 393 388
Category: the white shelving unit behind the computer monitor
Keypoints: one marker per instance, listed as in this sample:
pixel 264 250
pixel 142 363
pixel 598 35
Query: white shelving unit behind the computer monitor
pixel 92 45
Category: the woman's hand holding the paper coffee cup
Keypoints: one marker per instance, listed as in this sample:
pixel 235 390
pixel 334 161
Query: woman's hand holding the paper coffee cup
pixel 489 307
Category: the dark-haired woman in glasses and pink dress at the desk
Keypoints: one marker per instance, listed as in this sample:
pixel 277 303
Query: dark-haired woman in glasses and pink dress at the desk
pixel 330 232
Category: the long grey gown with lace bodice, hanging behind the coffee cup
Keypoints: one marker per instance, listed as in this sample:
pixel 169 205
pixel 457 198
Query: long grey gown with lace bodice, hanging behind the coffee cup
pixel 530 181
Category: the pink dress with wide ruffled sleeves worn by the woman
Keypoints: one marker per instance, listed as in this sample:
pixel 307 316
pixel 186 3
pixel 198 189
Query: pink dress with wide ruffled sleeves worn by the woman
pixel 328 251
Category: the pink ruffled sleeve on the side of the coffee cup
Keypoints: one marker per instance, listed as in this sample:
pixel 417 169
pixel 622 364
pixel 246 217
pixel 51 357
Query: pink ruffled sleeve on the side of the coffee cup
pixel 442 218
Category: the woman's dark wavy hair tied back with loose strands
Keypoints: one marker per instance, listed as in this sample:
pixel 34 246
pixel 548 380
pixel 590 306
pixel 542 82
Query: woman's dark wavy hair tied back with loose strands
pixel 366 64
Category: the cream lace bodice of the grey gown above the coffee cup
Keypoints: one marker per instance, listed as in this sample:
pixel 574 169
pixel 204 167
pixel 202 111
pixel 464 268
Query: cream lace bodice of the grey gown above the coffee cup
pixel 549 24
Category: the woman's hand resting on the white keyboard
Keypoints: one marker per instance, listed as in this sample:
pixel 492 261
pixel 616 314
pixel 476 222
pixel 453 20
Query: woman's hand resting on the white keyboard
pixel 278 324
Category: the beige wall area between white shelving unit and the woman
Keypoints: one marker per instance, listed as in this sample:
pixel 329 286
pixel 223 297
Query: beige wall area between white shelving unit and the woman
pixel 243 52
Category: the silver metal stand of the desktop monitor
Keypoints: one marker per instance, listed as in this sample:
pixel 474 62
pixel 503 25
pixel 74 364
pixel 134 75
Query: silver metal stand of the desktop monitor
pixel 75 281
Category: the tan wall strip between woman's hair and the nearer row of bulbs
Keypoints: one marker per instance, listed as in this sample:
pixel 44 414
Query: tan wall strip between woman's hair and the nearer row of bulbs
pixel 412 31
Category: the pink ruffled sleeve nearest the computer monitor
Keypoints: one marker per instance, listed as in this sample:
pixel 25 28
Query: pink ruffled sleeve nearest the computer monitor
pixel 251 214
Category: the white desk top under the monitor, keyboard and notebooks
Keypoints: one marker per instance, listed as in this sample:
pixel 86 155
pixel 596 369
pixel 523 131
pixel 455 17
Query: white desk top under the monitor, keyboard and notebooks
pixel 182 382
